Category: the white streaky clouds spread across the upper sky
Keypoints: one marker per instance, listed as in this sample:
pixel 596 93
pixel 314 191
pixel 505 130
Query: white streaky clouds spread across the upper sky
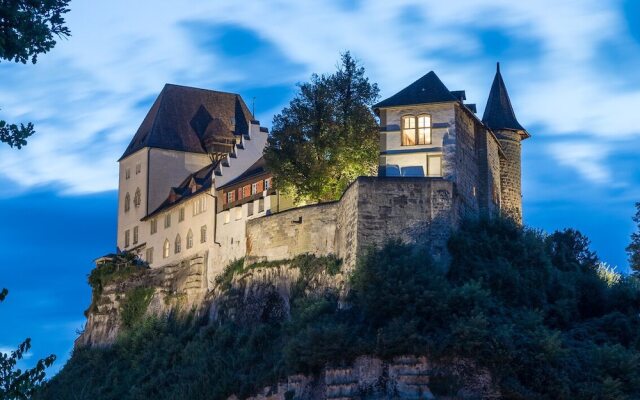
pixel 88 96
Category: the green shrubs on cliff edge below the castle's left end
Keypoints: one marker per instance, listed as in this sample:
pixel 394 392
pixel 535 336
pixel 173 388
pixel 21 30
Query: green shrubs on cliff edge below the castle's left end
pixel 120 267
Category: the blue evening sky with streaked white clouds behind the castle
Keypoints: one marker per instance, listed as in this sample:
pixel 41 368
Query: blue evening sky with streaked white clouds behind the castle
pixel 570 68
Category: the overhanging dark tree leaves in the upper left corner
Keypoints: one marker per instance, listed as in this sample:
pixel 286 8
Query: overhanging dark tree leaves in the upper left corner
pixel 27 29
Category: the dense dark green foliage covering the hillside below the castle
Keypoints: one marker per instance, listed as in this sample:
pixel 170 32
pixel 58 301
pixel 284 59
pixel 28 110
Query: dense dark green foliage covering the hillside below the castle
pixel 534 310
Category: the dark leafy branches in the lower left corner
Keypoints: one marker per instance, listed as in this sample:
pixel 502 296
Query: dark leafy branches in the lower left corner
pixel 15 383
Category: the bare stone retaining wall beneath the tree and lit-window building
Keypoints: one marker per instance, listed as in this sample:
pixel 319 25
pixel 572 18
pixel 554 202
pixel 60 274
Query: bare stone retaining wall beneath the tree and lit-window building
pixel 371 211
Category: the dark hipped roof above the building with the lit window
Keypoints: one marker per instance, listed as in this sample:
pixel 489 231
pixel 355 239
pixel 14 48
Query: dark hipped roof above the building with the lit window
pixel 428 89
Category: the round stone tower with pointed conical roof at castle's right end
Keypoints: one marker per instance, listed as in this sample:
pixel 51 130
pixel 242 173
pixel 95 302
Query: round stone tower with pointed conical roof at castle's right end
pixel 500 118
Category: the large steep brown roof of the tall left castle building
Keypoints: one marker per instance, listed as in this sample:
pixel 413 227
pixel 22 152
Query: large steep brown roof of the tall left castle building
pixel 180 117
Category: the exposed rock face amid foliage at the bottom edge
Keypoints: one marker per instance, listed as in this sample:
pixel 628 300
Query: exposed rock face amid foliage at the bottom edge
pixel 406 377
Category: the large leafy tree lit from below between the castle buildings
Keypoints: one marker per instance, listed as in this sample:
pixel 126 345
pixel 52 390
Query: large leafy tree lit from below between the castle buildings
pixel 327 136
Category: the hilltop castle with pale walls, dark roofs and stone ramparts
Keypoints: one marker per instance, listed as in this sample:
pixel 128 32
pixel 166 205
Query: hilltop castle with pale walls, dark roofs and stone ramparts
pixel 193 186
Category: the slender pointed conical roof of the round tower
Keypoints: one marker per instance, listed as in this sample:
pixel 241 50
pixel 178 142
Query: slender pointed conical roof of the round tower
pixel 499 113
